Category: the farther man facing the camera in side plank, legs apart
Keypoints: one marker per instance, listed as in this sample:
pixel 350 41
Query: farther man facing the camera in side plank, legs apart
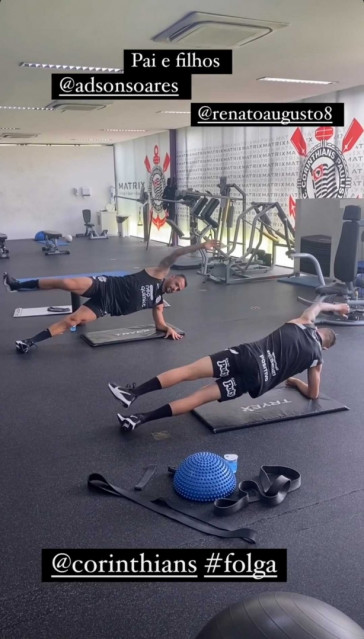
pixel 109 295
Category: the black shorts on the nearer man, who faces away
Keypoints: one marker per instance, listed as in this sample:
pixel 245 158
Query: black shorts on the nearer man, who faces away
pixel 235 371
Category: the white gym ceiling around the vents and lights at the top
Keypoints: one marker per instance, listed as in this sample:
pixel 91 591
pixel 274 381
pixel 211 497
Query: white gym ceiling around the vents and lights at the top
pixel 324 41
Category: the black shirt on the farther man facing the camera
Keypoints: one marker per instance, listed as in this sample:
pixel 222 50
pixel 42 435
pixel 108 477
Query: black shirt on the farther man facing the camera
pixel 133 293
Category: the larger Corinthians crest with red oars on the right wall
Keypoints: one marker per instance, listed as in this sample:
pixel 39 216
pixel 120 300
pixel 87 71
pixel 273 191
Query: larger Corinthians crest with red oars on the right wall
pixel 325 173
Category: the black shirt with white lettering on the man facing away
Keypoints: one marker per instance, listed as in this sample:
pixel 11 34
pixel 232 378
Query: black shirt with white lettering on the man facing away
pixel 289 350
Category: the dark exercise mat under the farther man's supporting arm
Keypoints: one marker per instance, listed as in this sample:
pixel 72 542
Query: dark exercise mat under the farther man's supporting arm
pixel 127 334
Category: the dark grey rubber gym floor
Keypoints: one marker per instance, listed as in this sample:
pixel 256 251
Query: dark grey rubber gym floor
pixel 58 425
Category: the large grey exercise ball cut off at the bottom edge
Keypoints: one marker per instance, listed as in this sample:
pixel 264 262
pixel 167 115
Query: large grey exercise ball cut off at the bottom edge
pixel 281 615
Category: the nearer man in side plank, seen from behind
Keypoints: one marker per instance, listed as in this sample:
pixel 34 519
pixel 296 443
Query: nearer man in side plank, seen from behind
pixel 251 368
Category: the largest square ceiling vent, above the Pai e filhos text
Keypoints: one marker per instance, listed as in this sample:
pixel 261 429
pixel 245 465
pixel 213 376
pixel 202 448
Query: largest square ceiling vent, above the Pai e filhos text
pixel 209 30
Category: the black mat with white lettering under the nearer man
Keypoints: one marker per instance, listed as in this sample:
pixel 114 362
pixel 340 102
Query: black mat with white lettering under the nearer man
pixel 278 405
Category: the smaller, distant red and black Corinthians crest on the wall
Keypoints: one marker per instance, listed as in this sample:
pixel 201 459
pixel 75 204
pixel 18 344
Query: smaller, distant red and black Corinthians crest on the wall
pixel 156 186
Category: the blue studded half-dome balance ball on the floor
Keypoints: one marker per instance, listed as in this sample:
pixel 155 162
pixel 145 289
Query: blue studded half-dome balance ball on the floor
pixel 204 477
